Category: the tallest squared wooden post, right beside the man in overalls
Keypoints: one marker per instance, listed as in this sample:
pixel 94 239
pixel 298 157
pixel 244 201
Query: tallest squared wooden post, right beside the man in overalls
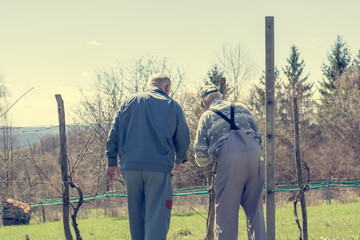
pixel 270 129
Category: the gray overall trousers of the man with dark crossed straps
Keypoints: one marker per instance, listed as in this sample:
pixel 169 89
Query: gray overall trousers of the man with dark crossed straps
pixel 239 181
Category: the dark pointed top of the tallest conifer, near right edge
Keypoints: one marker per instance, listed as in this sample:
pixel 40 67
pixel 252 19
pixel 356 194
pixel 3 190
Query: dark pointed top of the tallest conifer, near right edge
pixel 338 62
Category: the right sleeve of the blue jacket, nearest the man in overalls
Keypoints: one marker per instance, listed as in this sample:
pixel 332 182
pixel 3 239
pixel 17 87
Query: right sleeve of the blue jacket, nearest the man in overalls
pixel 181 138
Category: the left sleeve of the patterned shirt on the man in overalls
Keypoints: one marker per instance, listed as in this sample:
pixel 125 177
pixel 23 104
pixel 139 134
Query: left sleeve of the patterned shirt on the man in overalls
pixel 201 144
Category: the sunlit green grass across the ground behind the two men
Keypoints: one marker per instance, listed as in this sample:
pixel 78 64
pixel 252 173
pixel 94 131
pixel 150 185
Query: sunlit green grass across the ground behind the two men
pixel 337 221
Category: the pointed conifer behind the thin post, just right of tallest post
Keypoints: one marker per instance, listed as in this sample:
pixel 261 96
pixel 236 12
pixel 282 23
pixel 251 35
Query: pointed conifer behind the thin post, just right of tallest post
pixel 295 86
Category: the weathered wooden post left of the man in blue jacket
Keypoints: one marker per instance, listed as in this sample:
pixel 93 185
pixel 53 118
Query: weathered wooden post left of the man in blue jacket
pixel 64 167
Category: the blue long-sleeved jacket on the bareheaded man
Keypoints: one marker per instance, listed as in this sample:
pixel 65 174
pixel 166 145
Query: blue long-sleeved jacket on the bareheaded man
pixel 148 132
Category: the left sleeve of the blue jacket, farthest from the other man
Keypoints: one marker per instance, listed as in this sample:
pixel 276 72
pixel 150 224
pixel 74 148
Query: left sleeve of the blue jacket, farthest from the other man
pixel 112 143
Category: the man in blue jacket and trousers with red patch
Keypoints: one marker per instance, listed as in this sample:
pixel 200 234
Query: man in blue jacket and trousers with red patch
pixel 149 135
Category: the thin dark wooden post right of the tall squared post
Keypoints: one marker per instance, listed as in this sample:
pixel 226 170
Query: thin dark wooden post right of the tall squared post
pixel 298 168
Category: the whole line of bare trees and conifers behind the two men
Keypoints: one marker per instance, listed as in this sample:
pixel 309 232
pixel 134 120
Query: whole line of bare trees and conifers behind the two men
pixel 328 117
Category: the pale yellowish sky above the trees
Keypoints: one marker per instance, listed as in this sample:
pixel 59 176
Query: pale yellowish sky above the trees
pixel 55 47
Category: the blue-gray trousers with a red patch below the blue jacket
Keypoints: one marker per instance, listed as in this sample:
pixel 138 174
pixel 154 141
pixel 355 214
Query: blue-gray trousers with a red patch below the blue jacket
pixel 149 203
